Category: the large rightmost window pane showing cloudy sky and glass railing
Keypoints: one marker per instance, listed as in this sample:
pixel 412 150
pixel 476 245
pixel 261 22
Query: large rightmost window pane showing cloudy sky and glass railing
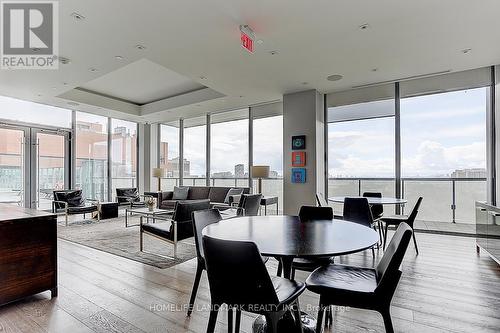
pixel 443 149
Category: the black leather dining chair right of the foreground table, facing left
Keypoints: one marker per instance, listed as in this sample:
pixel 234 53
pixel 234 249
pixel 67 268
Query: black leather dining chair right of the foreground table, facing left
pixel 359 287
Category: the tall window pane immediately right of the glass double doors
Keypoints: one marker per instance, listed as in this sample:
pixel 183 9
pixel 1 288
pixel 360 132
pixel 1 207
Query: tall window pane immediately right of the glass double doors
pixel 92 155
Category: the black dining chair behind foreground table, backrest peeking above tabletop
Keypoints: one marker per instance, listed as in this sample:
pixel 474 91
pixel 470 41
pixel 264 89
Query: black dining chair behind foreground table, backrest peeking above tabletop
pixel 309 214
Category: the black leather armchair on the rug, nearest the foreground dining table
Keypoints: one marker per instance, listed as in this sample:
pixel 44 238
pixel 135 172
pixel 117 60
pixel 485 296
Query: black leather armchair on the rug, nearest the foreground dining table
pixel 179 227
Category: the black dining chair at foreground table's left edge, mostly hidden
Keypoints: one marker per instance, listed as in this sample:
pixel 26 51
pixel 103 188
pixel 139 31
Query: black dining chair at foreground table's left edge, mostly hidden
pixel 201 219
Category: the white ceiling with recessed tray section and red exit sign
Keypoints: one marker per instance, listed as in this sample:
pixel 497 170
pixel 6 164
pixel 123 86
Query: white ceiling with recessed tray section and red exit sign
pixel 200 38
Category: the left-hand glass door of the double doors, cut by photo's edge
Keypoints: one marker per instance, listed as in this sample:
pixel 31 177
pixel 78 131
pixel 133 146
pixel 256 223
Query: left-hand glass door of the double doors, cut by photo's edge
pixel 13 165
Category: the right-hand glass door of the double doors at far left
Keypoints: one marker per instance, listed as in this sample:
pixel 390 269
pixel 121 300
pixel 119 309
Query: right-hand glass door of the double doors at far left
pixel 50 168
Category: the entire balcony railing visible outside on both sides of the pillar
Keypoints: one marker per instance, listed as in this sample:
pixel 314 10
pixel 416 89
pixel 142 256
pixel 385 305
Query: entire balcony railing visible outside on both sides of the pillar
pixel 445 199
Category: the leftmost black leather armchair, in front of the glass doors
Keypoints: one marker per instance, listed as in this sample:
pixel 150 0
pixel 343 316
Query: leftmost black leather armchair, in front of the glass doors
pixel 71 202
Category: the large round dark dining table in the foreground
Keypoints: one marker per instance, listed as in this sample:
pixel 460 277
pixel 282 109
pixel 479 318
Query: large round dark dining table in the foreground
pixel 287 237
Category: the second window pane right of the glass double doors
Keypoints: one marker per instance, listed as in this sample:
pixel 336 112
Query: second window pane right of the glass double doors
pixel 123 154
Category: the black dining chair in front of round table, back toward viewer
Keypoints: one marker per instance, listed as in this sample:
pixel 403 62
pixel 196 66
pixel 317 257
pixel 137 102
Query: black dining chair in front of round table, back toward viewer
pixel 238 278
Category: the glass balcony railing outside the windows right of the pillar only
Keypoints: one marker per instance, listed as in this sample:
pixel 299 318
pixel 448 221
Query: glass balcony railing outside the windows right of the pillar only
pixel 445 199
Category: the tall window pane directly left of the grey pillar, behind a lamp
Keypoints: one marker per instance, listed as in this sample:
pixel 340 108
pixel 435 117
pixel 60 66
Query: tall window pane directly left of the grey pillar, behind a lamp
pixel 268 150
